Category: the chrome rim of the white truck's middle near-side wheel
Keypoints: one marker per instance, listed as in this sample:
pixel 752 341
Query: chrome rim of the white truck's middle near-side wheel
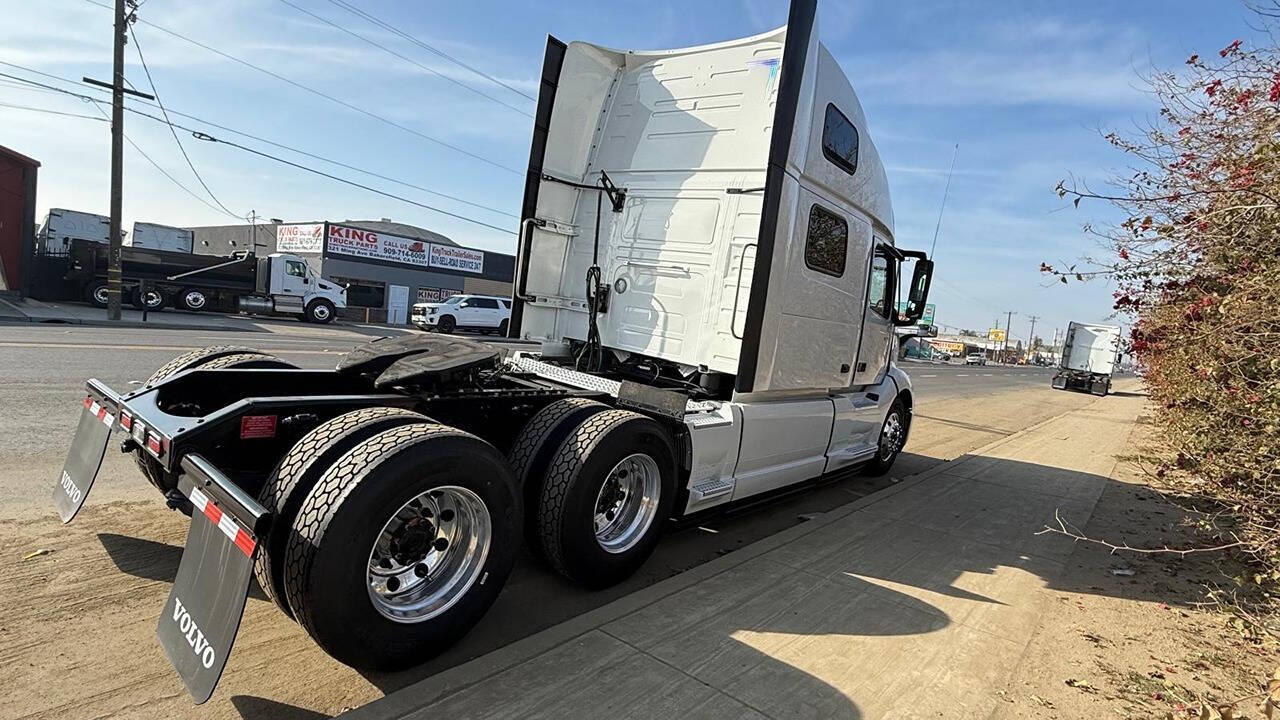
pixel 628 503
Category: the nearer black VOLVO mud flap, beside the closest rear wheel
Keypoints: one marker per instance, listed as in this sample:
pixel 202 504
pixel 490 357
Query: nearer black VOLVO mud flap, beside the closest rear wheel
pixel 203 614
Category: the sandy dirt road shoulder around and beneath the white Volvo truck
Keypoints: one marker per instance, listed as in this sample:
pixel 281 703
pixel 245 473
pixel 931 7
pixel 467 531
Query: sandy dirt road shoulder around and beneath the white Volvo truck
pixel 80 604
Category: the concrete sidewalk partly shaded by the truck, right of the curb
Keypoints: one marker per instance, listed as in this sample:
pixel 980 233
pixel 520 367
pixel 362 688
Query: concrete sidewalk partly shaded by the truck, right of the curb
pixel 913 603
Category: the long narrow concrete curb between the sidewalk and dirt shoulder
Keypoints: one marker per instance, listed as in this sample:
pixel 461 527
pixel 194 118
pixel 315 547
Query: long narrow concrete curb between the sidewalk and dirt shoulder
pixel 481 669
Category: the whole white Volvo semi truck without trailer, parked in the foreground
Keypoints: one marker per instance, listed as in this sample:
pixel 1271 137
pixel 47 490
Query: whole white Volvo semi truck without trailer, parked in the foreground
pixel 708 263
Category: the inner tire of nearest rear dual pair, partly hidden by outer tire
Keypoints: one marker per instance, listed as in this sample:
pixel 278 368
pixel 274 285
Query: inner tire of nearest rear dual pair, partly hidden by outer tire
pixel 303 466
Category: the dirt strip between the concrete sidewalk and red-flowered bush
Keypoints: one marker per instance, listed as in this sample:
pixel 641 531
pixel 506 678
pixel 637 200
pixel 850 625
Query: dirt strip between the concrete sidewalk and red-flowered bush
pixel 1140 644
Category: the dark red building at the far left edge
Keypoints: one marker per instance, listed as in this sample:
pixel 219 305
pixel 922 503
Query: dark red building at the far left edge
pixel 17 220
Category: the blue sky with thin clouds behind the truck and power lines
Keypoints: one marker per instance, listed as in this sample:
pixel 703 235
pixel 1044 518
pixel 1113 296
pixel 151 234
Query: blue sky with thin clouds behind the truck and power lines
pixel 1023 89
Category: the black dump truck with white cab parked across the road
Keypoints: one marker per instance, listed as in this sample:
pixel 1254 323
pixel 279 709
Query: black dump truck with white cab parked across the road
pixel 278 284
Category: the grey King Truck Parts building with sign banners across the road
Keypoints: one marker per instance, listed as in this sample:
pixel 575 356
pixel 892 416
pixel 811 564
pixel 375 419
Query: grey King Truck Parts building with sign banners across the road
pixel 386 266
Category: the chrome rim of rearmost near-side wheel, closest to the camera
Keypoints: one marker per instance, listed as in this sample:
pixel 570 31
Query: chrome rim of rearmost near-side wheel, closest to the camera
pixel 429 554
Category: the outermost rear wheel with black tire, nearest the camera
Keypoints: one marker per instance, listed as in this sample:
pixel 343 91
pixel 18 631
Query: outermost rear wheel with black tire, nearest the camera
pixel 331 562
